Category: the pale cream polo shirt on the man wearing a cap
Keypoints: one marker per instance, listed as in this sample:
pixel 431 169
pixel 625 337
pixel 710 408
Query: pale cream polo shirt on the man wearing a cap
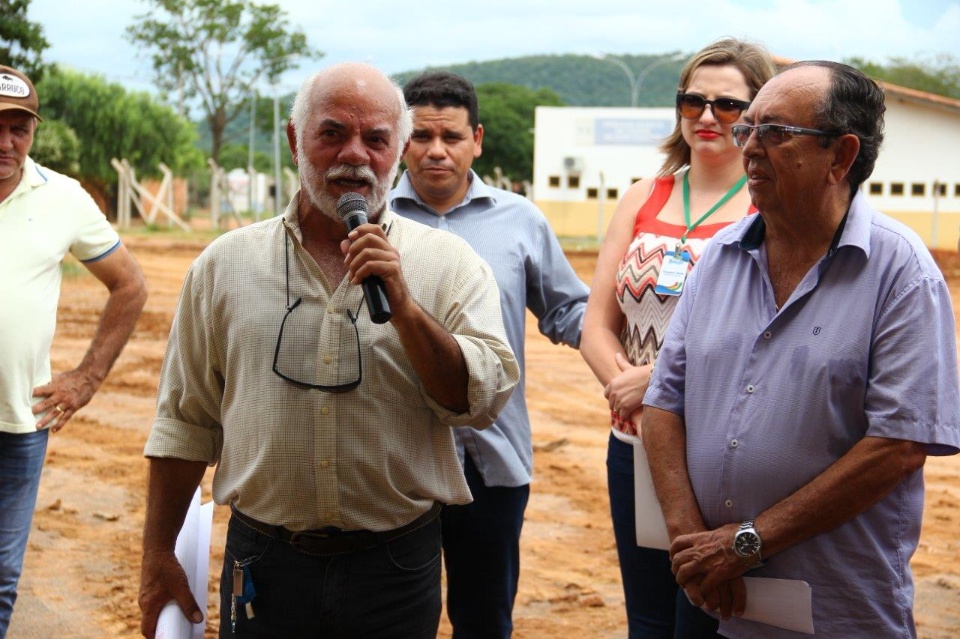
pixel 46 216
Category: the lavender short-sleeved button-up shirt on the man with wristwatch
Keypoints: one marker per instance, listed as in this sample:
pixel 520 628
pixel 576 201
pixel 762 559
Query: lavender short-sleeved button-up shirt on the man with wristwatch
pixel 865 346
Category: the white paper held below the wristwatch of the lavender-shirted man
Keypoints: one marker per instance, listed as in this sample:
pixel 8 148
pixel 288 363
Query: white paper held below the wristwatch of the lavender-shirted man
pixel 784 603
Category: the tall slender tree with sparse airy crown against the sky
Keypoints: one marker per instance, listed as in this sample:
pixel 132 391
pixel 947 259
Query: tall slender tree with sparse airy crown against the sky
pixel 215 50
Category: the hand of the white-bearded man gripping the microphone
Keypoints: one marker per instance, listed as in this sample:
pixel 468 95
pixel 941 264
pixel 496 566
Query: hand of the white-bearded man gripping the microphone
pixel 367 252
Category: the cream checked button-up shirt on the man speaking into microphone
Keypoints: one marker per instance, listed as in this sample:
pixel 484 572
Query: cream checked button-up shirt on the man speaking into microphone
pixel 373 458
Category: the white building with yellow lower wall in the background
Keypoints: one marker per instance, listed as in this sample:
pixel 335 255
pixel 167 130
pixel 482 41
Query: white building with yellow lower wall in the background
pixel 586 157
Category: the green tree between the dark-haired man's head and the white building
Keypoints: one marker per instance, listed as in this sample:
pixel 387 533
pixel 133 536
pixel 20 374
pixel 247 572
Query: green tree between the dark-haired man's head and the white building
pixel 507 115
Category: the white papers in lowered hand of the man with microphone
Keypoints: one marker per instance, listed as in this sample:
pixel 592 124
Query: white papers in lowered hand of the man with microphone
pixel 193 552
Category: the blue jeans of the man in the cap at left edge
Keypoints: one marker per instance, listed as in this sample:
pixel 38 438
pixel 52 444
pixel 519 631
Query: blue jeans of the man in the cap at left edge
pixel 21 460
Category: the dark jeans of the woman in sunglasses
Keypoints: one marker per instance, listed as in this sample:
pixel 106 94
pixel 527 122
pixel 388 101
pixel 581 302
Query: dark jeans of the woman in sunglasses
pixel 656 606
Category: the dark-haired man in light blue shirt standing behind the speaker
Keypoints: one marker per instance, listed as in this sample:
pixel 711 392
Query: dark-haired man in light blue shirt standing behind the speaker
pixel 481 541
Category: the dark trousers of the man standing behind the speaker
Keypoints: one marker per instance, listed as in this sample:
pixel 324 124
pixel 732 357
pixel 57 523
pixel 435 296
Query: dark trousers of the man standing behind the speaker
pixel 481 552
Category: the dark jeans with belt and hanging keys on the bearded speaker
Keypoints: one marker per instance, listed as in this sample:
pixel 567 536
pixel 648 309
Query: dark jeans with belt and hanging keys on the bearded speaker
pixel 390 591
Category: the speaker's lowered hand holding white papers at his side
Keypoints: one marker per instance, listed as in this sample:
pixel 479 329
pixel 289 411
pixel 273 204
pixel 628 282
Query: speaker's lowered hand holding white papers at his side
pixel 162 579
